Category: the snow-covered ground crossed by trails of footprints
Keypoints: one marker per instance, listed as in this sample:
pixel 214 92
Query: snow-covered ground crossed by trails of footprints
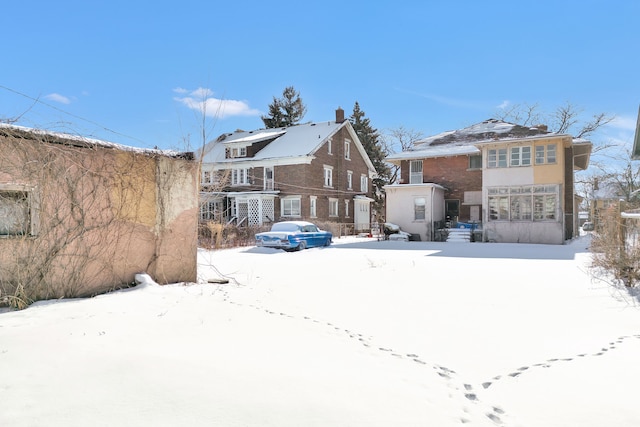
pixel 362 333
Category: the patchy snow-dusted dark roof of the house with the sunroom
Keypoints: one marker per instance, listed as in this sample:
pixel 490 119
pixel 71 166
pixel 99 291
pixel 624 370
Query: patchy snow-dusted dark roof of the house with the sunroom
pixel 464 141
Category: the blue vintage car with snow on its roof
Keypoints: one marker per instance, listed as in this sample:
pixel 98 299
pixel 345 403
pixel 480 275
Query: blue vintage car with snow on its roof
pixel 293 235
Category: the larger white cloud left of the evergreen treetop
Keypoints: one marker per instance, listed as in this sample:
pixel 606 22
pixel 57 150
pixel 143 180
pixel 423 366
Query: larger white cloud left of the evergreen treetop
pixel 203 100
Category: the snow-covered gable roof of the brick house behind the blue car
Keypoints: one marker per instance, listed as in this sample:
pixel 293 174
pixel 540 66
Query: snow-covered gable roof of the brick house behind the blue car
pixel 290 145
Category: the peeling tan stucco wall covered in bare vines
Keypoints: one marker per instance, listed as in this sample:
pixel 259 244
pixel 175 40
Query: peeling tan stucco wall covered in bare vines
pixel 103 215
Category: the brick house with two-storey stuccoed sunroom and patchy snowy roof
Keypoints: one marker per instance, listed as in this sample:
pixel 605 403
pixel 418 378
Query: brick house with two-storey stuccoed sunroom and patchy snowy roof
pixel 516 181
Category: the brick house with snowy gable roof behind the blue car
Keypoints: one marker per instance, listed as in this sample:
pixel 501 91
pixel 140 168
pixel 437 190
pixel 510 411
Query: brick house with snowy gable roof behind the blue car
pixel 315 171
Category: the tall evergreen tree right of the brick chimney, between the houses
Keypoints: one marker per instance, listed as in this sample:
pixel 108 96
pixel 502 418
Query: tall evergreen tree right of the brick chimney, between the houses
pixel 372 144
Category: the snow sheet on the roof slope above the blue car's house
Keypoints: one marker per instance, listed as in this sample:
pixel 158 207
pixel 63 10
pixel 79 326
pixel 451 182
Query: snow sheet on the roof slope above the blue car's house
pixel 289 142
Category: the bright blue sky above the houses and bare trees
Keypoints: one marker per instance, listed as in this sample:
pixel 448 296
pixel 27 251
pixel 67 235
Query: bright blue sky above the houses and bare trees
pixel 124 71
